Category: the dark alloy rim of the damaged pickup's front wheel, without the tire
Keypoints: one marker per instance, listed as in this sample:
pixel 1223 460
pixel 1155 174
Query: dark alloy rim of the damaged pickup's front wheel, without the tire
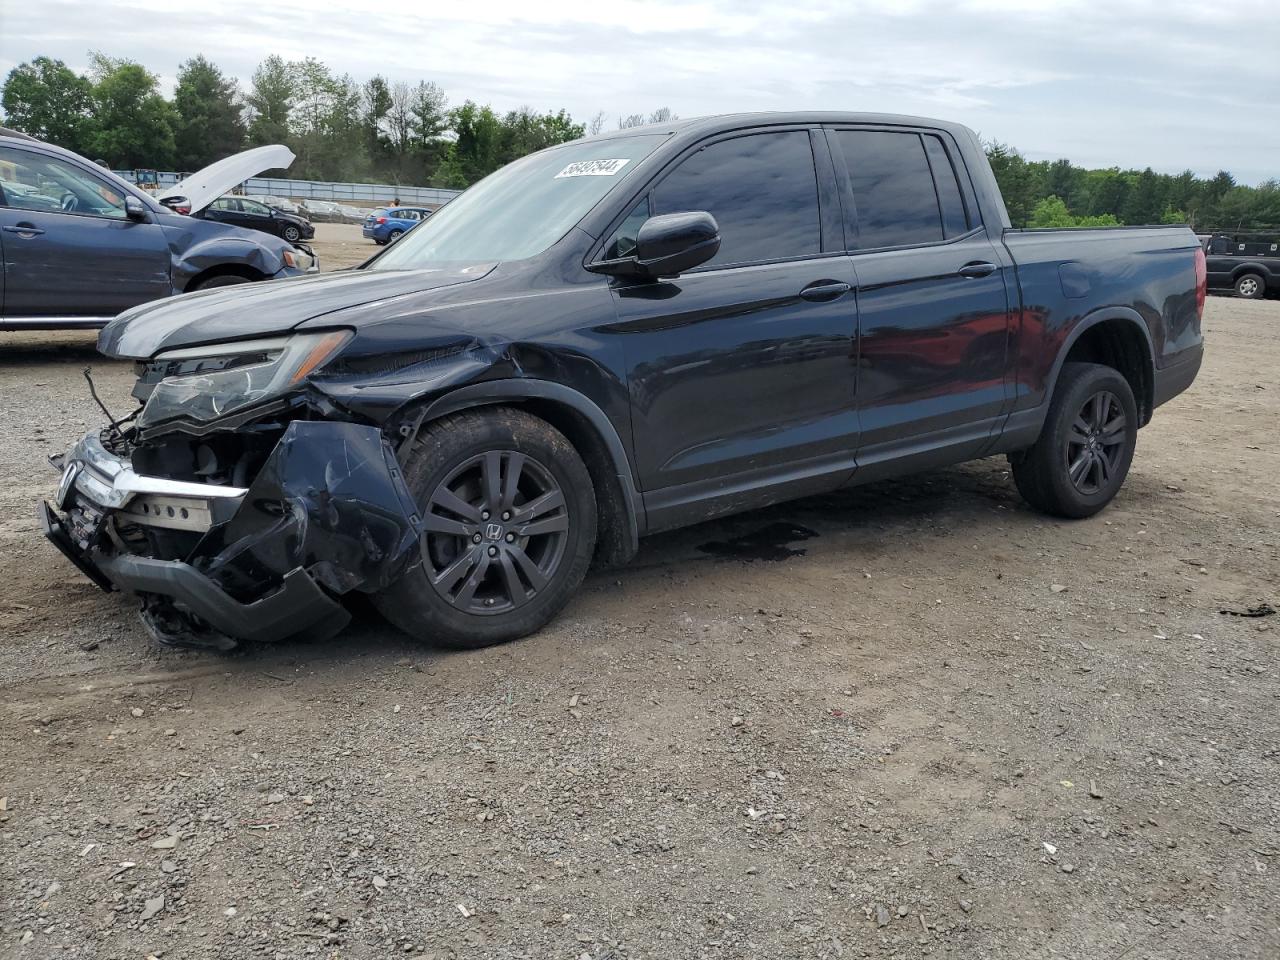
pixel 496 533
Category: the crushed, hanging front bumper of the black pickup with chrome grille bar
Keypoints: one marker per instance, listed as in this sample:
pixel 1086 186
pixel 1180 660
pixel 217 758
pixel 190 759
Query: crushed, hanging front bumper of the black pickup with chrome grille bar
pixel 328 514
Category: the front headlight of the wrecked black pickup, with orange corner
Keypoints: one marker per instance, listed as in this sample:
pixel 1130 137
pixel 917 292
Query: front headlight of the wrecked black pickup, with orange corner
pixel 207 383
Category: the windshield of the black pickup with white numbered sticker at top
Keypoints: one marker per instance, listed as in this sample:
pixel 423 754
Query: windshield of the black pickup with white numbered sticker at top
pixel 524 208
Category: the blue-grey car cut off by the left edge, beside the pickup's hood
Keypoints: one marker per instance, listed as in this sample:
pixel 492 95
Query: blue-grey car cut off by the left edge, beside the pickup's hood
pixel 79 245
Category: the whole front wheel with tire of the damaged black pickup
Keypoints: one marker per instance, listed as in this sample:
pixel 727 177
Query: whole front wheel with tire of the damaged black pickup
pixel 459 472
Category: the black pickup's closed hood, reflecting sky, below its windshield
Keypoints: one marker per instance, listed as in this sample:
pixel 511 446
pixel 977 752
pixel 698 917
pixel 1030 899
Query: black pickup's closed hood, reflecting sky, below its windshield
pixel 264 309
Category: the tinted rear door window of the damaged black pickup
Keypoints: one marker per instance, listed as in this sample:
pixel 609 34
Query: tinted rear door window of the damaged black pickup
pixel 895 200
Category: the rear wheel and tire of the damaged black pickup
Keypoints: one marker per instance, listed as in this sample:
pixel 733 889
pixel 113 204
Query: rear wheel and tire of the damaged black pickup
pixel 1072 470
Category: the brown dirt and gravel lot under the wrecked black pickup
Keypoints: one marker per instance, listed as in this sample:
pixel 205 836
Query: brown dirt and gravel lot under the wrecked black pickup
pixel 944 726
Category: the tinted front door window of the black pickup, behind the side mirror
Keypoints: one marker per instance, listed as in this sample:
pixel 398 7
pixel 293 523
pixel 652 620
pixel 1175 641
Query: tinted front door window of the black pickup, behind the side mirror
pixel 761 189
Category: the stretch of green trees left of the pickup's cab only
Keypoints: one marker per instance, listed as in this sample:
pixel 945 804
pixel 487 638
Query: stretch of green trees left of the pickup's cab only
pixel 339 129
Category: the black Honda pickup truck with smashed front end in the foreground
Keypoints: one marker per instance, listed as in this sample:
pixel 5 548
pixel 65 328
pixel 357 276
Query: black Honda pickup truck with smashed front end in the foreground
pixel 610 339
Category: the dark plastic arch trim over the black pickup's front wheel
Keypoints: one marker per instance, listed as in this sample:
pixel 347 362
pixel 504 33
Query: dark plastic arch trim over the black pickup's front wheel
pixel 584 424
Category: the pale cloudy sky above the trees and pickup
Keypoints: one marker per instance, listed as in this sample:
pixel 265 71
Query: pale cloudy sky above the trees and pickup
pixel 1104 83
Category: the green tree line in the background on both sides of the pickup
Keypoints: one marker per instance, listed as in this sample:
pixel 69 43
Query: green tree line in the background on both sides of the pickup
pixel 380 131
